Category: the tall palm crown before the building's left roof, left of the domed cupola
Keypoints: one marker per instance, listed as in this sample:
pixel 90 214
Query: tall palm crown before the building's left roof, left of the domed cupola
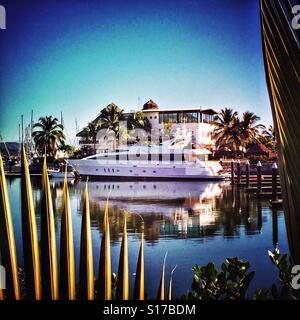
pixel 110 118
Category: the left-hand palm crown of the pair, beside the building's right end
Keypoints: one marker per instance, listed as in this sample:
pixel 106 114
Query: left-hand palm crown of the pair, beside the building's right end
pixel 226 130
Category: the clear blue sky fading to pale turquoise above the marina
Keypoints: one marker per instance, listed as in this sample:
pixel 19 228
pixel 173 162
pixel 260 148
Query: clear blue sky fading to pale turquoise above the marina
pixel 77 56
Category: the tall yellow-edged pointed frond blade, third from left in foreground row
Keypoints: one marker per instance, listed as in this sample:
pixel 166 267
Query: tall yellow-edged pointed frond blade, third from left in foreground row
pixel 48 242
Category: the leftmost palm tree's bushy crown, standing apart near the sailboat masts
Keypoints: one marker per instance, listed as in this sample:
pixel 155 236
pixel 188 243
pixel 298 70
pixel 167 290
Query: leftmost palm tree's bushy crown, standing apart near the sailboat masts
pixel 48 135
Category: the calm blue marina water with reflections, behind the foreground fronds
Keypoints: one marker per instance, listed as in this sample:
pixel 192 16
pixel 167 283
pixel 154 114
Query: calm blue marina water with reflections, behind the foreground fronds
pixel 196 222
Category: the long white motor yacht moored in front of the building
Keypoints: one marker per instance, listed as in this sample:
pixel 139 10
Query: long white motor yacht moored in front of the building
pixel 172 159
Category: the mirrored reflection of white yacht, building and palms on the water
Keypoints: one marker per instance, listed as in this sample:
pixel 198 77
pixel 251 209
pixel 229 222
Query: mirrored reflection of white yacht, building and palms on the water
pixel 169 209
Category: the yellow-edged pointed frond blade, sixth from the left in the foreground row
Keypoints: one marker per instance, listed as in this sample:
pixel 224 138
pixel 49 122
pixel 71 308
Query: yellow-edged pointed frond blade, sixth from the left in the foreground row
pixel 105 274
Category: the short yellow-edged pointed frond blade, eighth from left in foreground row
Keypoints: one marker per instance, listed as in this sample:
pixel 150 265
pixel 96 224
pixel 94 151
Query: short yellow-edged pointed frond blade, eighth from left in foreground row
pixel 139 287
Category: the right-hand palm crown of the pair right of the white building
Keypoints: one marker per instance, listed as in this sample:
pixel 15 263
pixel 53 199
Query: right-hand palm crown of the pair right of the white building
pixel 249 130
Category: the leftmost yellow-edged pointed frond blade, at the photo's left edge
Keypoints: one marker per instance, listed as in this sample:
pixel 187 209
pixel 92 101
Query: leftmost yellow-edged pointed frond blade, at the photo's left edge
pixel 7 240
